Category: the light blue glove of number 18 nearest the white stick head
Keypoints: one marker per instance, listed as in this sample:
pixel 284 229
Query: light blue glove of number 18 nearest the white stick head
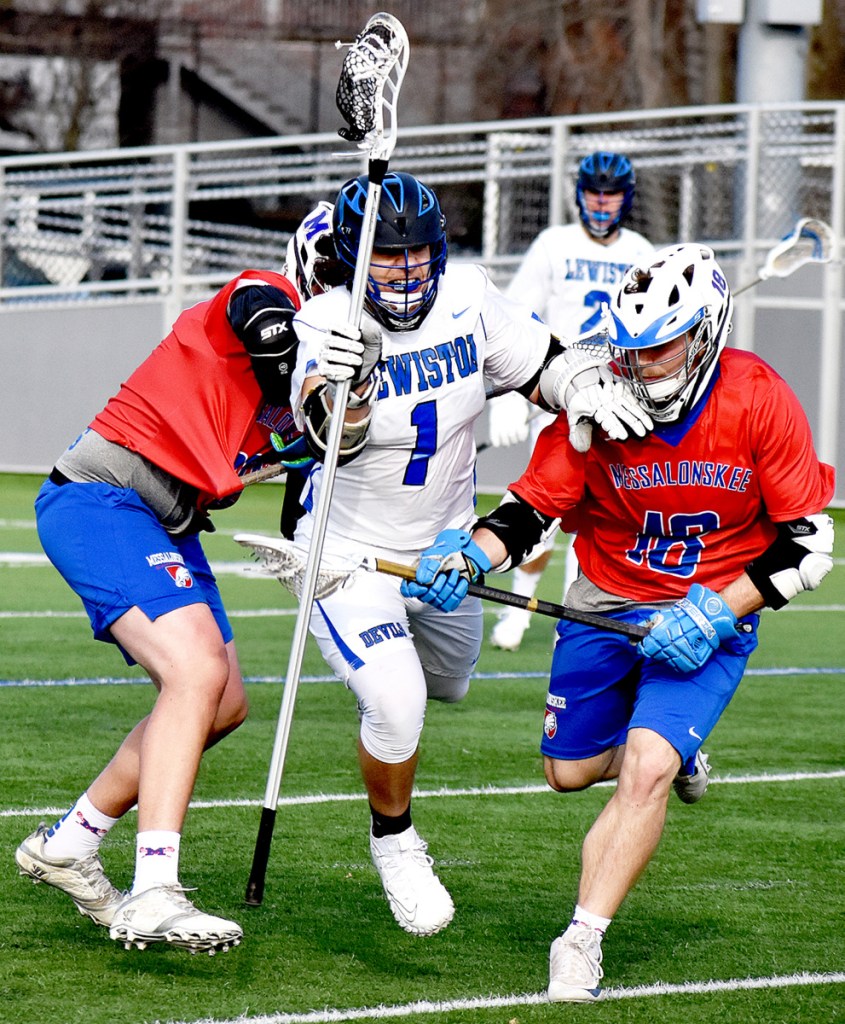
pixel 446 570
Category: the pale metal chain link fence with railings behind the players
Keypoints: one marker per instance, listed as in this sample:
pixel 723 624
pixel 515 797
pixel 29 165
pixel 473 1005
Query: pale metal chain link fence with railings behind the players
pixel 168 225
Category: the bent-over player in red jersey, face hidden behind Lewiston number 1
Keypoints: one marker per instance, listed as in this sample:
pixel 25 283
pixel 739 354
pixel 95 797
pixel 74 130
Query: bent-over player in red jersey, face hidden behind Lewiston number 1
pixel 120 519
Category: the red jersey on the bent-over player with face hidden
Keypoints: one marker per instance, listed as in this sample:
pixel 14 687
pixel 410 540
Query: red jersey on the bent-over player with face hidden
pixel 194 407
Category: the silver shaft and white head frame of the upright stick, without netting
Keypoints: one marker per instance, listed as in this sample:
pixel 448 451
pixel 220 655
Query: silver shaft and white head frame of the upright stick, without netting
pixel 382 147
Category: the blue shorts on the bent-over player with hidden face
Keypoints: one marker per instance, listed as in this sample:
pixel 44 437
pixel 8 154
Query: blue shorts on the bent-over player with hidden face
pixel 113 551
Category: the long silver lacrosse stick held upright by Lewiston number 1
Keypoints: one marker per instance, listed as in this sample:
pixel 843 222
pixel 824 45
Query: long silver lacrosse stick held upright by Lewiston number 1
pixel 367 96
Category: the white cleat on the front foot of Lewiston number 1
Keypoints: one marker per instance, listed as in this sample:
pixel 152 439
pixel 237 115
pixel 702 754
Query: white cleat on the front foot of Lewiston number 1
pixel 419 901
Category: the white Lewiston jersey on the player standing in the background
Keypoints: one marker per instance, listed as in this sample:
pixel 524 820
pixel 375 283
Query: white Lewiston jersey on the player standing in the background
pixel 566 276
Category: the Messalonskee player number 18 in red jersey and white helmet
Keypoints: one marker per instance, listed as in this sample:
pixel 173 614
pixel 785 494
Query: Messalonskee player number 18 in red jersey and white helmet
pixel 695 529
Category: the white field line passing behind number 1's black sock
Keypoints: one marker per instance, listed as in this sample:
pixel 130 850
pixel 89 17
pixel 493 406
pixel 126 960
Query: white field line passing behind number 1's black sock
pixel 447 792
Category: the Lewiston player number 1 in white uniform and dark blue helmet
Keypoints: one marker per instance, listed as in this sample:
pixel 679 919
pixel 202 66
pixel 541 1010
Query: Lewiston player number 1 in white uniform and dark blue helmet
pixel 432 346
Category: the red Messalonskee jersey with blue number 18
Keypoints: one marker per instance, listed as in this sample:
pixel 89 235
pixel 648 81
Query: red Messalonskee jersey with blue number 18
pixel 691 503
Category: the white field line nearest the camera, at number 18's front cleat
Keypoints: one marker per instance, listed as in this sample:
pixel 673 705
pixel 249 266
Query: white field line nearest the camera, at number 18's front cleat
pixel 331 1016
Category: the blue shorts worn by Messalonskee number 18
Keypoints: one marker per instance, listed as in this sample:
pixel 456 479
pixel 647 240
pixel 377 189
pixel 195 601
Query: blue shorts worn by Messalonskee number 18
pixel 601 688
